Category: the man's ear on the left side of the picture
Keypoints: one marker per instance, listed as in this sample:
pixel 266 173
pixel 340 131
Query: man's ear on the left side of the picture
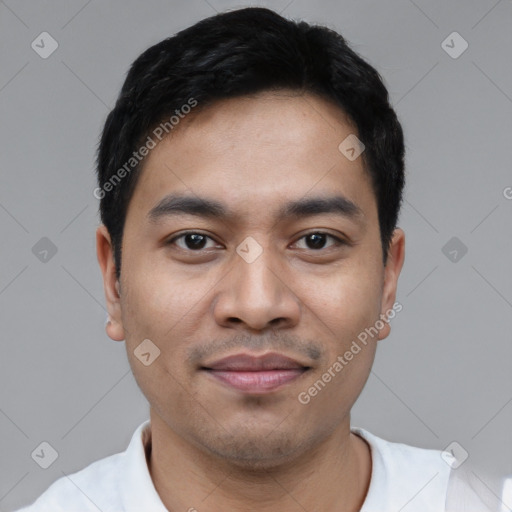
pixel 105 253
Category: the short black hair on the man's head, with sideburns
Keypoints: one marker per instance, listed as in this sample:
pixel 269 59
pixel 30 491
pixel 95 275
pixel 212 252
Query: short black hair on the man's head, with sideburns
pixel 239 53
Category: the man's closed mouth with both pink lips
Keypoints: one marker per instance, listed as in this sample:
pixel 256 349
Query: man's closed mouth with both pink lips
pixel 256 374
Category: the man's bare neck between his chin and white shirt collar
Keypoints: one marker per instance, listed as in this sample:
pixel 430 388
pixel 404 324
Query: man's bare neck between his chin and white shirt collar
pixel 334 475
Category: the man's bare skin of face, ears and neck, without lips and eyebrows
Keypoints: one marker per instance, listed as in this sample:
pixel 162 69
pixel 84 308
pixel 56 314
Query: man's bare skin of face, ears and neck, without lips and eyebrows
pixel 213 447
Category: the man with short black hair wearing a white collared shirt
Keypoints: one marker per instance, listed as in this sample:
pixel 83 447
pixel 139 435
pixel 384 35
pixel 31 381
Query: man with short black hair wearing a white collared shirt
pixel 250 178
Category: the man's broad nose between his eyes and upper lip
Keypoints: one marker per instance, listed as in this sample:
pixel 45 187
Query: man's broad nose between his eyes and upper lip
pixel 256 296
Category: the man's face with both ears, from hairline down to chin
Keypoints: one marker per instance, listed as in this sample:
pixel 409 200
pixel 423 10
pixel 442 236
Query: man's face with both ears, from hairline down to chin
pixel 262 277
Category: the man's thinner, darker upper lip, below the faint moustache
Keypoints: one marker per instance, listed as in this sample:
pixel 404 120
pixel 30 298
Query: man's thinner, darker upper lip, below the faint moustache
pixel 249 362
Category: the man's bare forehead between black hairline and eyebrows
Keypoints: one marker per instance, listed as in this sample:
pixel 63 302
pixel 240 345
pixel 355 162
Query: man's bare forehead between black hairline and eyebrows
pixel 253 152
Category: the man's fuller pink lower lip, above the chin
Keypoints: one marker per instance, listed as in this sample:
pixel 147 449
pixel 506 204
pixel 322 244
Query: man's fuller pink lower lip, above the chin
pixel 263 381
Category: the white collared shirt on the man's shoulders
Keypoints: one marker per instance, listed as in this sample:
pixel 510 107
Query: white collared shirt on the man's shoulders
pixel 403 478
